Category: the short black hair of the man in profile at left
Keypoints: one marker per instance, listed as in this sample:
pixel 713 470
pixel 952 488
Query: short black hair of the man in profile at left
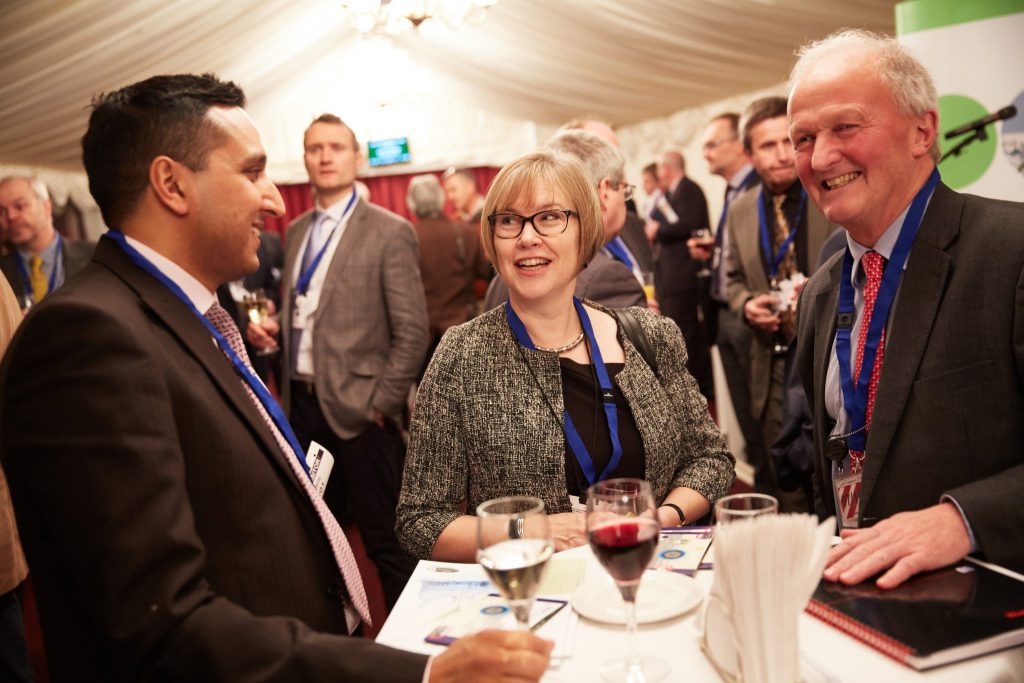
pixel 161 116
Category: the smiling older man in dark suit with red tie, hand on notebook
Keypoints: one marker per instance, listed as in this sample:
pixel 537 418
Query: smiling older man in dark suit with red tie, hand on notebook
pixel 910 343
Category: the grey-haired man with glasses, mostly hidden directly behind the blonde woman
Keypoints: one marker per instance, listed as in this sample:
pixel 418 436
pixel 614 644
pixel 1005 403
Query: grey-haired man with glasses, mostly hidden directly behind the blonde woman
pixel 610 279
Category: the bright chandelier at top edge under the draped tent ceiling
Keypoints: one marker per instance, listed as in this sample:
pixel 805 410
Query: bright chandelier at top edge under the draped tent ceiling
pixel 396 17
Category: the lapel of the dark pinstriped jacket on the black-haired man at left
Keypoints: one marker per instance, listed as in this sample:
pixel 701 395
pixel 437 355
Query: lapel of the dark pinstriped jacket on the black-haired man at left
pixel 196 340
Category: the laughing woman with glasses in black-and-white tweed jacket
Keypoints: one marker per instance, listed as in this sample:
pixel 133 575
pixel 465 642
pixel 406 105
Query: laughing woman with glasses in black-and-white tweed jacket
pixel 545 395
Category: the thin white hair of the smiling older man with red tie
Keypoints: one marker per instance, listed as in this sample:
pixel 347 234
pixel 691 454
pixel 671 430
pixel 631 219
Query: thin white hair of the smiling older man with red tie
pixel 909 82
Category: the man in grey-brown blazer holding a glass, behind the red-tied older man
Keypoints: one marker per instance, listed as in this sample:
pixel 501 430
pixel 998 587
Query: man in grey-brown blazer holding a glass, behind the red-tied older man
pixel 750 271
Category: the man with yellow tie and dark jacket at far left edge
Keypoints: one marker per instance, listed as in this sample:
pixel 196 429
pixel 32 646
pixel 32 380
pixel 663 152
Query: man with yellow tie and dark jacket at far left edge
pixel 41 261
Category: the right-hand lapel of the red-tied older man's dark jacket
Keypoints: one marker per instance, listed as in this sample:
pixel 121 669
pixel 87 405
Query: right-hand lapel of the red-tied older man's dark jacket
pixel 921 293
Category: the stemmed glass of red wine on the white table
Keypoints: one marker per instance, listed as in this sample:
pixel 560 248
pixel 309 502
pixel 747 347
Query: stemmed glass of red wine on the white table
pixel 622 525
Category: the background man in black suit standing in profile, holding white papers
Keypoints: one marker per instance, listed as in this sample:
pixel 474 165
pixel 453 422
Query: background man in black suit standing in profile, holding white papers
pixel 678 288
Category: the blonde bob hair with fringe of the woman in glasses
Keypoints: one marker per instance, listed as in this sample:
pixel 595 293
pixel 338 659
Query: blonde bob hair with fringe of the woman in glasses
pixel 546 170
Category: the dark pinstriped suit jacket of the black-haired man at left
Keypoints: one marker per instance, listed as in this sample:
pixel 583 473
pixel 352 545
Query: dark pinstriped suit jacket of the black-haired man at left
pixel 129 469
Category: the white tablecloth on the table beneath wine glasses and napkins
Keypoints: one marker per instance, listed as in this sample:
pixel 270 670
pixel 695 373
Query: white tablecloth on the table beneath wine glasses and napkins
pixel 832 654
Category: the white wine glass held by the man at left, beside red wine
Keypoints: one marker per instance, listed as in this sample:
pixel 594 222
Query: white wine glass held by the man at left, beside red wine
pixel 514 546
